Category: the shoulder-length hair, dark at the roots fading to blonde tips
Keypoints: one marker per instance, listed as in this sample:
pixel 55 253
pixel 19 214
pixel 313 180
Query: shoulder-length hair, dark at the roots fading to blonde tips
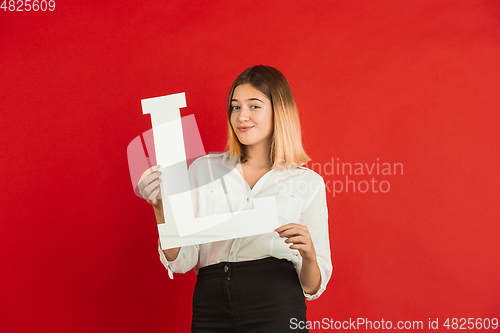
pixel 286 143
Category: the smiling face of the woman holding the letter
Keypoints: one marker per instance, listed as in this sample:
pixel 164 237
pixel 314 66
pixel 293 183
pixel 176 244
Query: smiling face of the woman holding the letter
pixel 251 115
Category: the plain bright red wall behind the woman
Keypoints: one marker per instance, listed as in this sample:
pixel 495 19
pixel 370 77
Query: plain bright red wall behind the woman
pixel 406 82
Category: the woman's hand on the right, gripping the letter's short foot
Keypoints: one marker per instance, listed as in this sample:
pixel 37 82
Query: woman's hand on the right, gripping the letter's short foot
pixel 298 234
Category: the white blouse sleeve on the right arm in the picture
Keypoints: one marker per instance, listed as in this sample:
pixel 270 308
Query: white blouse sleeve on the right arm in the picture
pixel 315 217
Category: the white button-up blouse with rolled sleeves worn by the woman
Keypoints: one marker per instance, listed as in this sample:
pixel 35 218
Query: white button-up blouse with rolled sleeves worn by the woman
pixel 300 197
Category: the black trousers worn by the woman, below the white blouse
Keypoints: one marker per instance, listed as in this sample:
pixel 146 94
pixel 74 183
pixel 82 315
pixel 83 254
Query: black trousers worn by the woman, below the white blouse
pixel 251 296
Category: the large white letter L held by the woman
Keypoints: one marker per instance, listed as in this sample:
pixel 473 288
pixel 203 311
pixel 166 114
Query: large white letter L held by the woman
pixel 181 228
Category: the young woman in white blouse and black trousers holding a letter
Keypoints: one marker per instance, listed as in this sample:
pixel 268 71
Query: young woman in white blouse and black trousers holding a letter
pixel 257 283
